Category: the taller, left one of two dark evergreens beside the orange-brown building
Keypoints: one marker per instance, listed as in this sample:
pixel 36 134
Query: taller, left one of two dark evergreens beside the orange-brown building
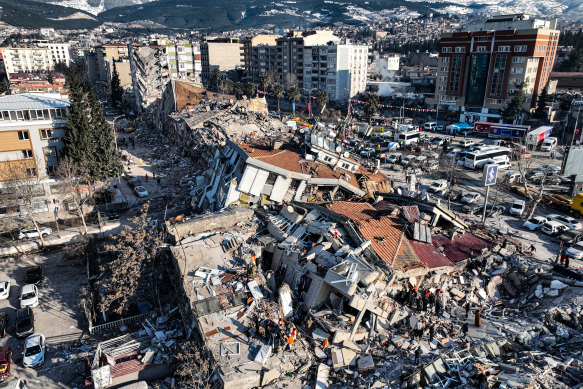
pixel 77 144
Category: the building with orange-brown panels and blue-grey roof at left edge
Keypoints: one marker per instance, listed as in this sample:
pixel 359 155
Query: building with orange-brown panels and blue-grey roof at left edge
pixel 32 127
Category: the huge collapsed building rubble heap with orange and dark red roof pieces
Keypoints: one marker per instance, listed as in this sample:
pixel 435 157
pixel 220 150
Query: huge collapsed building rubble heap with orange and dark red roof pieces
pixel 338 273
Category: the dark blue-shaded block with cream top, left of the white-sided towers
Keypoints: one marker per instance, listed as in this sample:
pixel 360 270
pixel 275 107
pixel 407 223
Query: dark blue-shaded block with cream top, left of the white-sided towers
pixel 259 53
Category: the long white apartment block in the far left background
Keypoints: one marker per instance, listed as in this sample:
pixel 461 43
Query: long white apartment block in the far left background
pixel 39 57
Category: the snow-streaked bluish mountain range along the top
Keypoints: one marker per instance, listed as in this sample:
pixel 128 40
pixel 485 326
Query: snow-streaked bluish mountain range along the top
pixel 230 14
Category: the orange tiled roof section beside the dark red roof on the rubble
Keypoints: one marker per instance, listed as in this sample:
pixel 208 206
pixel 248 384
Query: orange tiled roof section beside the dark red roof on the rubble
pixel 383 232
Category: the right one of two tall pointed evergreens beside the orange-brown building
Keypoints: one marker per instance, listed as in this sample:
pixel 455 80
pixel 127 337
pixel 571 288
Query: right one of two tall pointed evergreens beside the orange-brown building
pixel 104 160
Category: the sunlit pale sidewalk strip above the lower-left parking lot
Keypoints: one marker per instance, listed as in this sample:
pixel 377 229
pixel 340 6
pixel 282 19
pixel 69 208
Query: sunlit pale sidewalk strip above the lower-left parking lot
pixel 69 235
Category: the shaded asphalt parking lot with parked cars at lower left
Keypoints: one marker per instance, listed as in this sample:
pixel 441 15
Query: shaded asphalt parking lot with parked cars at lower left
pixel 58 316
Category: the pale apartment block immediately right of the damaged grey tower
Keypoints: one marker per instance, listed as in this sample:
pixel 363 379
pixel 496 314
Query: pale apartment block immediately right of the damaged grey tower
pixel 184 59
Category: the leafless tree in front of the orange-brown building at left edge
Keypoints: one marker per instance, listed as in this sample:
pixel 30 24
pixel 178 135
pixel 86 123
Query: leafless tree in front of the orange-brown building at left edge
pixel 25 184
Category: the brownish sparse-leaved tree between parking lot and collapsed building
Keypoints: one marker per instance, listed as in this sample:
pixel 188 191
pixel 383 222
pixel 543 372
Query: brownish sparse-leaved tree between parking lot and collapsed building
pixel 134 250
